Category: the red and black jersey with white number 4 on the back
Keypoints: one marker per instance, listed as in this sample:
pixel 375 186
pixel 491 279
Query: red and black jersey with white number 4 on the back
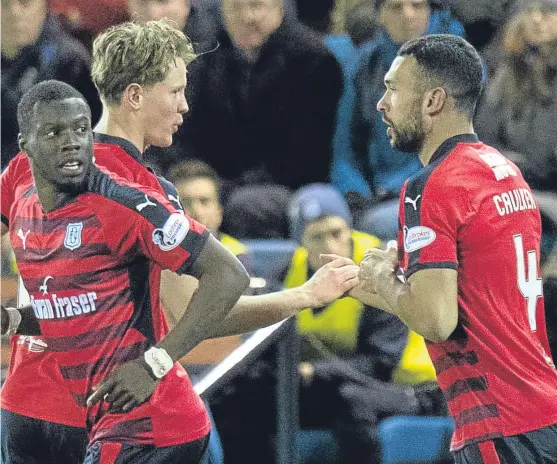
pixel 471 210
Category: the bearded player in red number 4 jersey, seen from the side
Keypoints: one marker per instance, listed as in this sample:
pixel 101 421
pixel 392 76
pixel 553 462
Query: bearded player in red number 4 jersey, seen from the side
pixel 466 275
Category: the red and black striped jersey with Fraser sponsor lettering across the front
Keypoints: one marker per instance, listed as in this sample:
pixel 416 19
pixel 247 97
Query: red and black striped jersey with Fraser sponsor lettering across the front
pixel 86 267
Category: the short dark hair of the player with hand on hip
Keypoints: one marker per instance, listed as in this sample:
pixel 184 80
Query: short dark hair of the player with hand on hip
pixel 43 92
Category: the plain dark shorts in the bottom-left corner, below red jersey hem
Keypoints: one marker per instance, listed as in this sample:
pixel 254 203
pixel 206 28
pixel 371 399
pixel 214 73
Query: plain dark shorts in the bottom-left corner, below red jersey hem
pixel 26 440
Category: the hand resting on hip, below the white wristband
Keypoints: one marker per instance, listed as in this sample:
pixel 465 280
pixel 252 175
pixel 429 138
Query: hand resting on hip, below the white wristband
pixel 127 387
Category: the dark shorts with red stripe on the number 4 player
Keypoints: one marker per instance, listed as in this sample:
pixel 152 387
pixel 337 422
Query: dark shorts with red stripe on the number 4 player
pixel 528 448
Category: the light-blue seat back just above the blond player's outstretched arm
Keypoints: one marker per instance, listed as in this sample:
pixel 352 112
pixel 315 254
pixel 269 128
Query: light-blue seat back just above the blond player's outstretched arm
pixel 269 258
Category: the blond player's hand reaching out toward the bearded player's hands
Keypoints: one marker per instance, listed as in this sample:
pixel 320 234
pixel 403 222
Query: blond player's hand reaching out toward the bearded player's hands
pixel 331 281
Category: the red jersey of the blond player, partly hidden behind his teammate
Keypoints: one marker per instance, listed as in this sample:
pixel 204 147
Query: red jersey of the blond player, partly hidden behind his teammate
pixel 33 370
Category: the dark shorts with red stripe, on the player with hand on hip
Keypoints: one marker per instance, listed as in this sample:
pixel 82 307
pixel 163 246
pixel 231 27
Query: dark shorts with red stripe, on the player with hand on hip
pixel 117 453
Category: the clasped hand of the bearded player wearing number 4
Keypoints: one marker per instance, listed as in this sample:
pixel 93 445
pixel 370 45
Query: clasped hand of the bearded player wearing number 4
pixel 377 266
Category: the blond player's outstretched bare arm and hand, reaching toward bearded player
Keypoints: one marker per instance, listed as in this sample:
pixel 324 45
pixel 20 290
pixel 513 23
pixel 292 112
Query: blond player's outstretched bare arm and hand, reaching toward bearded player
pixel 253 312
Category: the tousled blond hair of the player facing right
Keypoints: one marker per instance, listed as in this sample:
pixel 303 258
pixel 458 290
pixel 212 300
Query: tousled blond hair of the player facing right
pixel 136 53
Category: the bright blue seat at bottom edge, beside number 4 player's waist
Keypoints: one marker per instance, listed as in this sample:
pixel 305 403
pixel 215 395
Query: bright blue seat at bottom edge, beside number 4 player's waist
pixel 409 439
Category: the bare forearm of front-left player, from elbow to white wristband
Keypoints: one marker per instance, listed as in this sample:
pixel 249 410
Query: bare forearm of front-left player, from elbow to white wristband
pixel 209 305
